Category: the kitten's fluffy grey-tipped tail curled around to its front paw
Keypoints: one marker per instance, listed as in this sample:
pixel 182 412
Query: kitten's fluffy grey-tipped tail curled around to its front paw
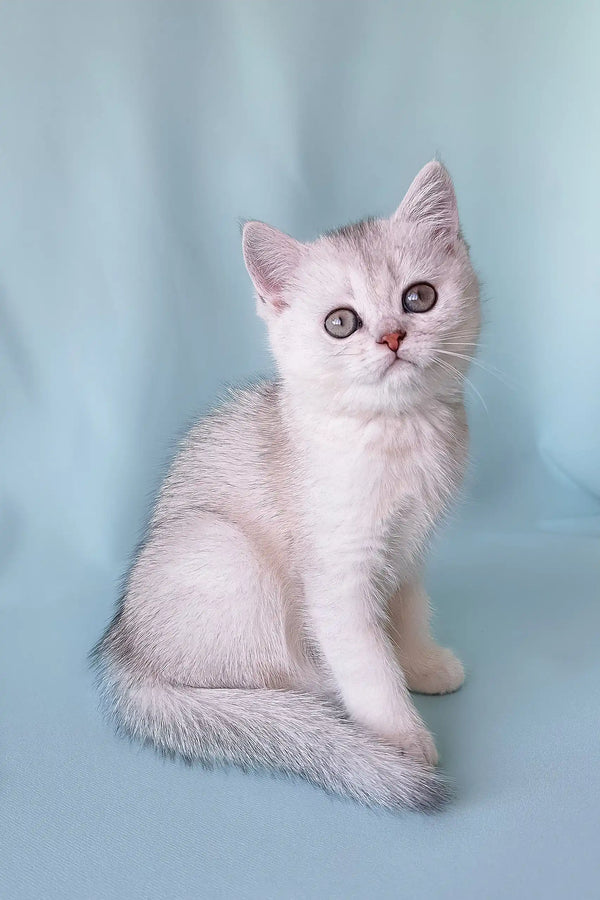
pixel 291 732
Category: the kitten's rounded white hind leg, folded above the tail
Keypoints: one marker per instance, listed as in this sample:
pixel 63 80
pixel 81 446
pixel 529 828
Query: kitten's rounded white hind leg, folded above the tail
pixel 205 606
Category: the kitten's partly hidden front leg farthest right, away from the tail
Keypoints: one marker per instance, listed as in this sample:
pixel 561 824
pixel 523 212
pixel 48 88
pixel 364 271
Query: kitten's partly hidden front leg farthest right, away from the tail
pixel 428 668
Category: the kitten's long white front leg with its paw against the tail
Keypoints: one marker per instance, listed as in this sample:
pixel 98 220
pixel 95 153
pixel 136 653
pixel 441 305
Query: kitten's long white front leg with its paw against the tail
pixel 347 623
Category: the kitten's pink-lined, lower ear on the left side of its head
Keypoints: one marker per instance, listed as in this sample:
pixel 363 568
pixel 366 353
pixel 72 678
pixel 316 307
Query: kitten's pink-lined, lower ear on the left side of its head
pixel 271 258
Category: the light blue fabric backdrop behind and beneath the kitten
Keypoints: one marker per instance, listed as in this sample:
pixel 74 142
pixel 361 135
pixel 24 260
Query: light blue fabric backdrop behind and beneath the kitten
pixel 132 138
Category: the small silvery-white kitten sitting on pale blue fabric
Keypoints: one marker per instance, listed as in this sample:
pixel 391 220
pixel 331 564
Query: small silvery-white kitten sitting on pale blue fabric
pixel 275 615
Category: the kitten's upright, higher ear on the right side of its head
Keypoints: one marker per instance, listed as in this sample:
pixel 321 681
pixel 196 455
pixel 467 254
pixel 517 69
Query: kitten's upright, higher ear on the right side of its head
pixel 431 200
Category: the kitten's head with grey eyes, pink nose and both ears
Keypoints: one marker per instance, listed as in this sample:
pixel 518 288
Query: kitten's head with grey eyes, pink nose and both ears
pixel 371 315
